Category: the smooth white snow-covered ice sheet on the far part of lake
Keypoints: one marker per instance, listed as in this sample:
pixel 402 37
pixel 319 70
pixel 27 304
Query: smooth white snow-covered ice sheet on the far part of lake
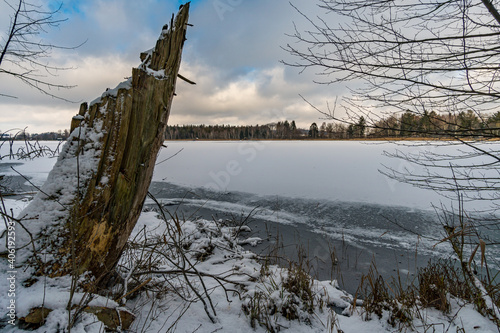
pixel 332 170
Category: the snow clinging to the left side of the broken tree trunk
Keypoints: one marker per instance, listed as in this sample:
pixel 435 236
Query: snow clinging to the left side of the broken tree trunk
pixel 51 205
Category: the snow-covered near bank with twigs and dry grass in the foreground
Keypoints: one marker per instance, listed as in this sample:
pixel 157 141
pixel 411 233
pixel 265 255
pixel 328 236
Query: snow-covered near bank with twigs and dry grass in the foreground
pixel 241 284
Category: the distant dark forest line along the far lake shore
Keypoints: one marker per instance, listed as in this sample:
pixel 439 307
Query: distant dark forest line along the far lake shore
pixel 407 124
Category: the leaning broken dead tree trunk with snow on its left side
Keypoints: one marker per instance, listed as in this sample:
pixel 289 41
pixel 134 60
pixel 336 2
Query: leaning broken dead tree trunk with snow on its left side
pixel 82 218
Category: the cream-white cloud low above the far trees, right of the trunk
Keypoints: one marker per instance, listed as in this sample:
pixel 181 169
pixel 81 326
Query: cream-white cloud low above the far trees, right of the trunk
pixel 261 96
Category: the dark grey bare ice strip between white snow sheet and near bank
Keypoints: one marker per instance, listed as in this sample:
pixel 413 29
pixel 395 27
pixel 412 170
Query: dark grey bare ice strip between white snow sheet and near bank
pixel 358 234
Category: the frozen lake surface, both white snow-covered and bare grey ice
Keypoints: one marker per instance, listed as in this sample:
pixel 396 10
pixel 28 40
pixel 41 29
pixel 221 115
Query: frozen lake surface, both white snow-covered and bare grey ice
pixel 325 195
